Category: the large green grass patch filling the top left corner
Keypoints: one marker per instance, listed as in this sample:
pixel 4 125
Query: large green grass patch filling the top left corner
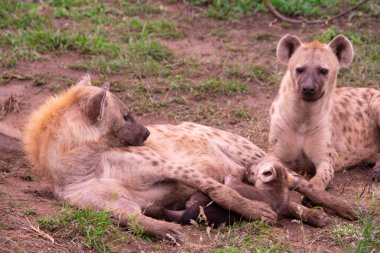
pixel 98 31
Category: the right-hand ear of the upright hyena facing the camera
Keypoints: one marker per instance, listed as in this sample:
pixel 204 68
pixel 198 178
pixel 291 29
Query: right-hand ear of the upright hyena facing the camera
pixel 343 50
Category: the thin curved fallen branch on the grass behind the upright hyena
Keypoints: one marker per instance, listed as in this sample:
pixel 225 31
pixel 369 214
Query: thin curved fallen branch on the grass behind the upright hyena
pixel 278 15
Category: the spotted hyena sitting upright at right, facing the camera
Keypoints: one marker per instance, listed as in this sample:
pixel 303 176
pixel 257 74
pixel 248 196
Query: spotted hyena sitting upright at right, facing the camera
pixel 315 125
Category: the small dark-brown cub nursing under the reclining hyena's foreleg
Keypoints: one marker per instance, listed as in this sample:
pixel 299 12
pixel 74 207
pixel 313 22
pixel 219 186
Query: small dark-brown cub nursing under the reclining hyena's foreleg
pixel 264 182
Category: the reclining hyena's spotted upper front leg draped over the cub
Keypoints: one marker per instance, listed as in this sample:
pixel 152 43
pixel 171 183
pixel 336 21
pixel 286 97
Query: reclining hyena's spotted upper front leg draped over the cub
pixel 221 194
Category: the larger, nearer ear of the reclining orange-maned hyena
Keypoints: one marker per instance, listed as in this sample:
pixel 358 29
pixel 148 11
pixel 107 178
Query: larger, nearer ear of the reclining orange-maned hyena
pixel 97 105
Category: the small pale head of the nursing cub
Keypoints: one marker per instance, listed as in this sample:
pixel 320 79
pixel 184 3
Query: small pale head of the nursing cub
pixel 267 171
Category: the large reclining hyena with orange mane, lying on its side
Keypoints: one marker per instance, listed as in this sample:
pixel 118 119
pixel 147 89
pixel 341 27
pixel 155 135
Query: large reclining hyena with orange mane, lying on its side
pixel 98 156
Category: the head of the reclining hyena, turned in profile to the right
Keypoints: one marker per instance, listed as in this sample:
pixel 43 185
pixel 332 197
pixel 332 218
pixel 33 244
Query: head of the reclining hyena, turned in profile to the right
pixel 109 114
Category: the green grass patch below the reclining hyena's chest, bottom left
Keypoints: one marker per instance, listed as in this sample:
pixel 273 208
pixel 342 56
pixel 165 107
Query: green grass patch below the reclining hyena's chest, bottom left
pixel 94 228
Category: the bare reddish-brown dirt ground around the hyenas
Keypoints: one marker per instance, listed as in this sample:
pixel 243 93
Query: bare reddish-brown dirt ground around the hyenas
pixel 213 43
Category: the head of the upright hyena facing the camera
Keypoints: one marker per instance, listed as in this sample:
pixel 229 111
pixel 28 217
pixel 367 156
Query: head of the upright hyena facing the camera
pixel 313 67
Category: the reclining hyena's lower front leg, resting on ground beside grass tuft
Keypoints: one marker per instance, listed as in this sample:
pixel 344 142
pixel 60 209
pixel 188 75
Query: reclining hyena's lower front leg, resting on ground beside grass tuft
pixel 108 194
